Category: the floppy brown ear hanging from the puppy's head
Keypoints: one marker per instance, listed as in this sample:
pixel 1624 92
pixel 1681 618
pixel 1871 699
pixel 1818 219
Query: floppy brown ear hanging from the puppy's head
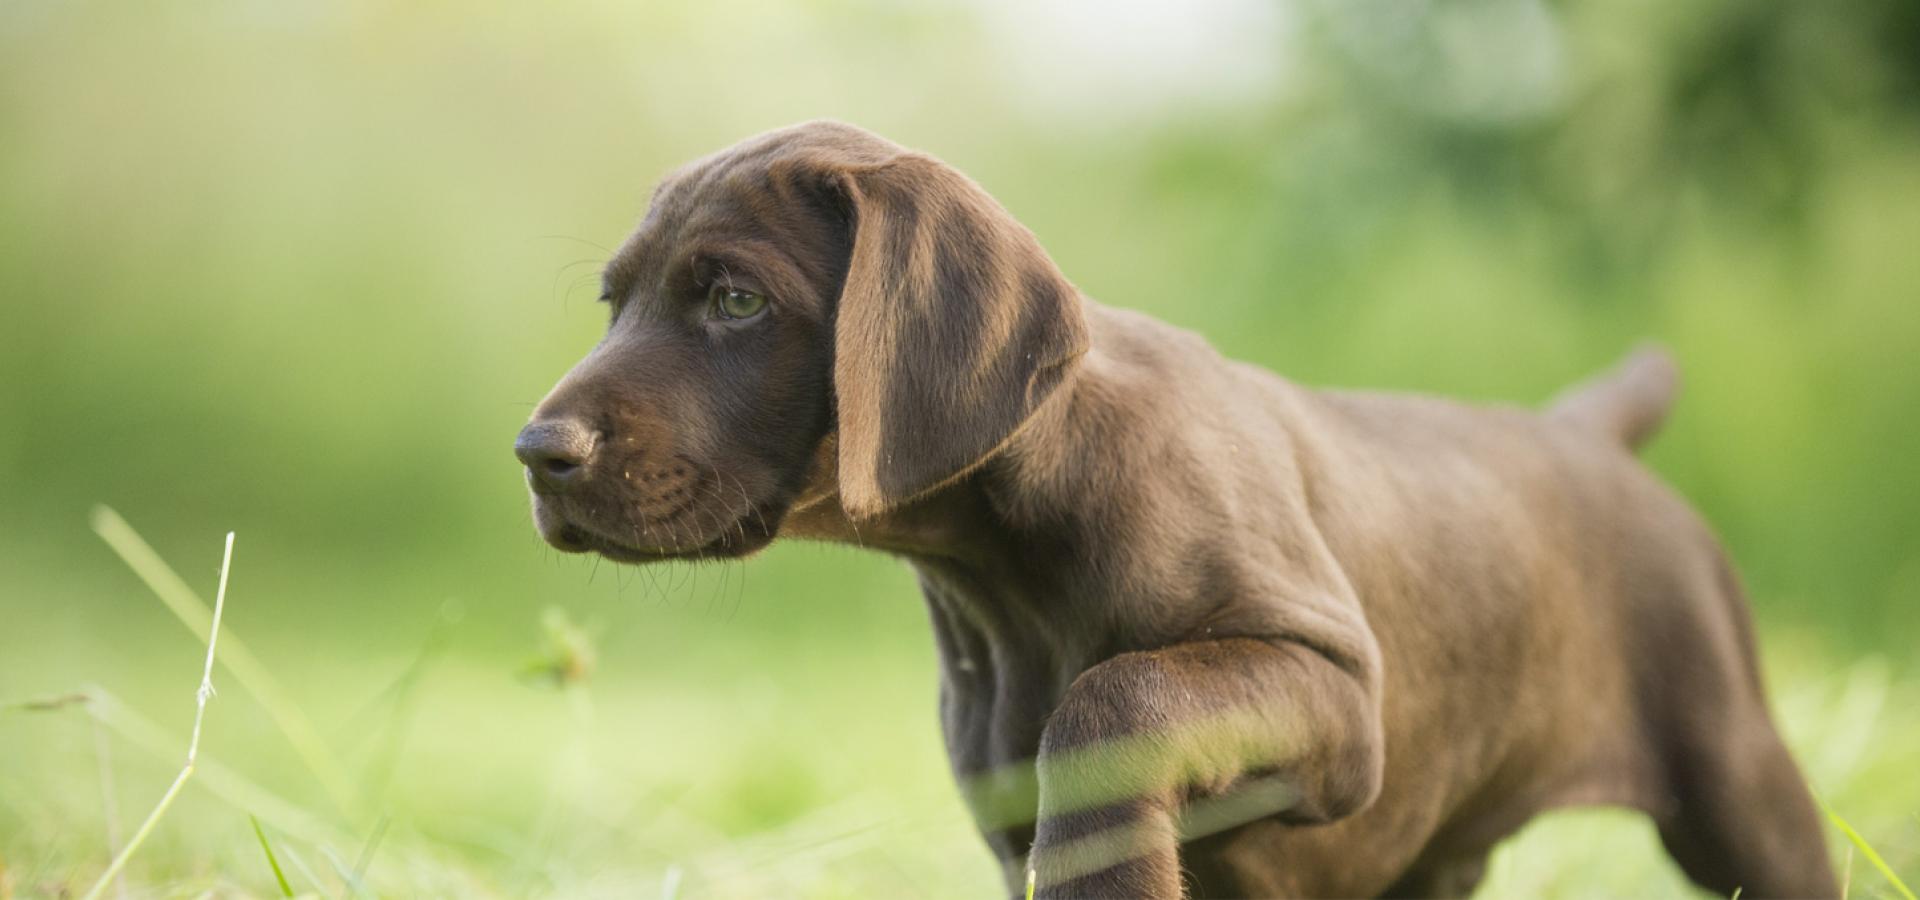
pixel 953 327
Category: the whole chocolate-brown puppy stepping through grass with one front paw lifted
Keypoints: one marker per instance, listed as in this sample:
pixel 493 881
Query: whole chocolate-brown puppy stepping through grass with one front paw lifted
pixel 1203 630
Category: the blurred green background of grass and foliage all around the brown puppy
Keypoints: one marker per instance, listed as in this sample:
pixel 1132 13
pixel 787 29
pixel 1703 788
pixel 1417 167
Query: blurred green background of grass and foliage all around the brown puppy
pixel 300 270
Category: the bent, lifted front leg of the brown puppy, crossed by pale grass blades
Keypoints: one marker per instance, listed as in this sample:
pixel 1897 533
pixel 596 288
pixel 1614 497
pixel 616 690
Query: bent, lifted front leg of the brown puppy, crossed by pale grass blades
pixel 1151 747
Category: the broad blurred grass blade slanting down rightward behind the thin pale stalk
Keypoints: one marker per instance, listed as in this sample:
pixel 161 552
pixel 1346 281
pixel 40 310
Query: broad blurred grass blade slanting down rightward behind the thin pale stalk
pixel 239 659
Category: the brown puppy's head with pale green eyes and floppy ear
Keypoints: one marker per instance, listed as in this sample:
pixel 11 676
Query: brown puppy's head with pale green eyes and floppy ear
pixel 815 310
